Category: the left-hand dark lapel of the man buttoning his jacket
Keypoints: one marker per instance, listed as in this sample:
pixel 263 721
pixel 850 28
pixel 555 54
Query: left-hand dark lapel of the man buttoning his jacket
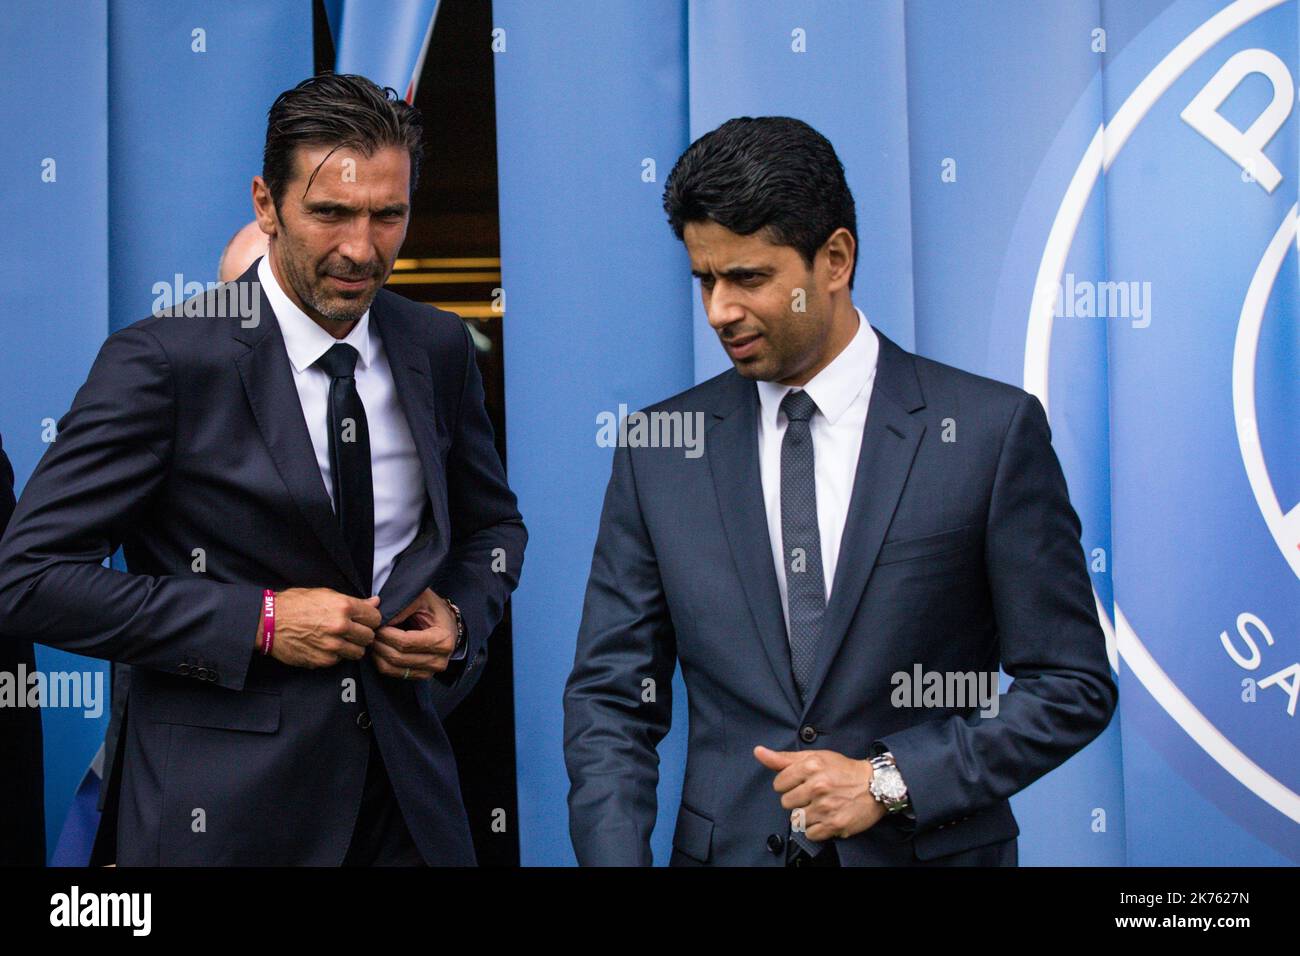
pixel 268 380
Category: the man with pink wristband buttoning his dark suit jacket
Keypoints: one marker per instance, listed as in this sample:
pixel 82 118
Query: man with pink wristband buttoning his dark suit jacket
pixel 317 522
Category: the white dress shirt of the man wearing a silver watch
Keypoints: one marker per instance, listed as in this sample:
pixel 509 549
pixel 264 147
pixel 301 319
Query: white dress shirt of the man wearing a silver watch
pixel 842 392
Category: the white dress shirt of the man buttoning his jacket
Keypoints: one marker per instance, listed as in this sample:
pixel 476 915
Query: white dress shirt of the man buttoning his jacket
pixel 395 461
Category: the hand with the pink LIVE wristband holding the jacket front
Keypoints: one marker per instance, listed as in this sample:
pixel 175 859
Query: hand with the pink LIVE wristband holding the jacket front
pixel 319 628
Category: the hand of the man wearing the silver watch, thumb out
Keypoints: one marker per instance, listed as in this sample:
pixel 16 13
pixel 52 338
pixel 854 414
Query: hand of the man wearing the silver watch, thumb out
pixel 833 790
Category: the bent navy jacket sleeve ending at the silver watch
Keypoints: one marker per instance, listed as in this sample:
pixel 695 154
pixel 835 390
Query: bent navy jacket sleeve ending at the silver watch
pixel 1050 641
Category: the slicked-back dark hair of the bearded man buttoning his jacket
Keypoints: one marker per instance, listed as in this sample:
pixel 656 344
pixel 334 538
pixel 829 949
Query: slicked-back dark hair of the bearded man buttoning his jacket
pixel 337 110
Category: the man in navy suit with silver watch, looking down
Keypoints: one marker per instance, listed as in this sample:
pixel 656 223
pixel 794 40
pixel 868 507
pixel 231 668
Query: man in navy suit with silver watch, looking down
pixel 863 518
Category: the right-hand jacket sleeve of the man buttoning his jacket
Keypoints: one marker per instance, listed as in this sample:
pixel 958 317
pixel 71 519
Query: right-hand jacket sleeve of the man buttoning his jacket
pixel 488 535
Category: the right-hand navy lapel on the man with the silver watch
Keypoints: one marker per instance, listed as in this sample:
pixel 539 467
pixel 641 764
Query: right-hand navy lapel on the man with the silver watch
pixel 890 443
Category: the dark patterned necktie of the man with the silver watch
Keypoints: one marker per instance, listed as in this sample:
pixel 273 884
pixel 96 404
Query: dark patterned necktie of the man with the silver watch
pixel 801 544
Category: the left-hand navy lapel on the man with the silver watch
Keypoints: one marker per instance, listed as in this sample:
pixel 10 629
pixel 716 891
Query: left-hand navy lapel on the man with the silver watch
pixel 733 449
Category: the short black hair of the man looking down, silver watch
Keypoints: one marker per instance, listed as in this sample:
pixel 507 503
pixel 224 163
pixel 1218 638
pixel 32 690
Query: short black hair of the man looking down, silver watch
pixel 772 172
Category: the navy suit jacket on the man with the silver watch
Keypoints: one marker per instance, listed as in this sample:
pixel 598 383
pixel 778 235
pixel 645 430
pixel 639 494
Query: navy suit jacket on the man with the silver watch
pixel 957 556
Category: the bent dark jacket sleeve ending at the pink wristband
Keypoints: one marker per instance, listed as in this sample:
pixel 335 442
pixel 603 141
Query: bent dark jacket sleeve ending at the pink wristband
pixel 110 457
